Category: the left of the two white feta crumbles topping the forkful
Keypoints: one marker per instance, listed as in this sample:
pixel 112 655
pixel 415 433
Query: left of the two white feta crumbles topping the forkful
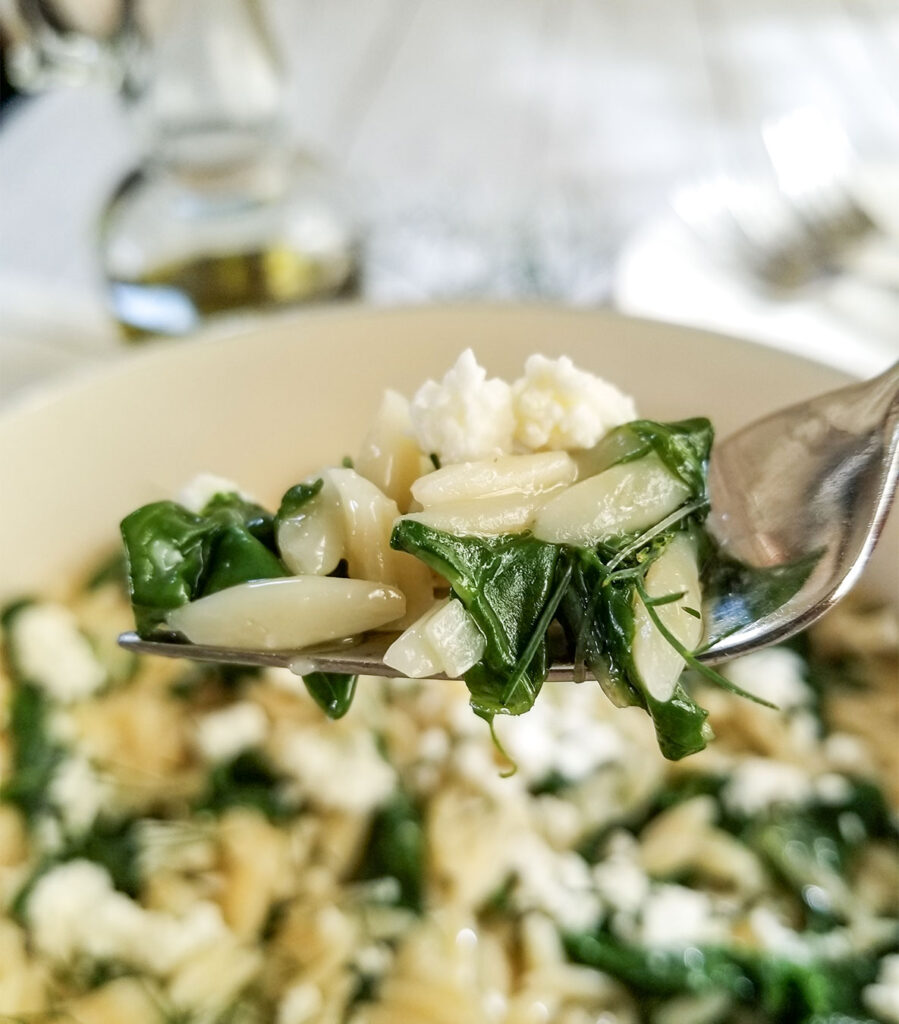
pixel 465 416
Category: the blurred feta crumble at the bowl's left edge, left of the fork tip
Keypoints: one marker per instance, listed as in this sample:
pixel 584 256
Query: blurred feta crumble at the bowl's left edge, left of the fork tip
pixel 54 654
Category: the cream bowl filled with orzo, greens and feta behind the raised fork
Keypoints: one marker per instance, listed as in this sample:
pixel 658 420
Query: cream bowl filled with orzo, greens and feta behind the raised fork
pixel 182 843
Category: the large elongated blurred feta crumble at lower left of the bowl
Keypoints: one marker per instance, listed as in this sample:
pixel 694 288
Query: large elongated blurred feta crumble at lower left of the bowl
pixel 74 910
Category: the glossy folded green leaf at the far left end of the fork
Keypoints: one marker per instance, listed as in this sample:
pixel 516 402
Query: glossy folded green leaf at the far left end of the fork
pixel 176 557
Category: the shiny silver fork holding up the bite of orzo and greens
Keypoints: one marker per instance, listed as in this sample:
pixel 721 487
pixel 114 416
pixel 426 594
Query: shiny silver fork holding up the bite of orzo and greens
pixel 817 479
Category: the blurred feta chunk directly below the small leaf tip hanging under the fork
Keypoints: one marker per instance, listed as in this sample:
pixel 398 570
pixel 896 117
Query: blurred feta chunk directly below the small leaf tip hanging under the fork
pixel 341 771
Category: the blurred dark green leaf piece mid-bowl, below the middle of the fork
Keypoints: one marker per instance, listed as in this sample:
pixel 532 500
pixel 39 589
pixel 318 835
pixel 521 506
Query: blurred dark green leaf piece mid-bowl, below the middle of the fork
pixel 397 850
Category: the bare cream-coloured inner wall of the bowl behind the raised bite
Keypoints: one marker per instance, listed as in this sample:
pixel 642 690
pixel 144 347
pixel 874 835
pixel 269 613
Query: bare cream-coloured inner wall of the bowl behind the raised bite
pixel 265 405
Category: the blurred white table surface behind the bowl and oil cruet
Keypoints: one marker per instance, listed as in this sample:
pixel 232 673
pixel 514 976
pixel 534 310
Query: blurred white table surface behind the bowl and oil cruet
pixel 497 150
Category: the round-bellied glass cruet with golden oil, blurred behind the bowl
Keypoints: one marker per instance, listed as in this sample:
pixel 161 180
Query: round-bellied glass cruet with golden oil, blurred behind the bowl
pixel 223 215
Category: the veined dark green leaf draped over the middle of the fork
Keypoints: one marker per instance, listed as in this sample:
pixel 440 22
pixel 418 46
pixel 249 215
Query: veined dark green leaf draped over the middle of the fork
pixel 511 586
